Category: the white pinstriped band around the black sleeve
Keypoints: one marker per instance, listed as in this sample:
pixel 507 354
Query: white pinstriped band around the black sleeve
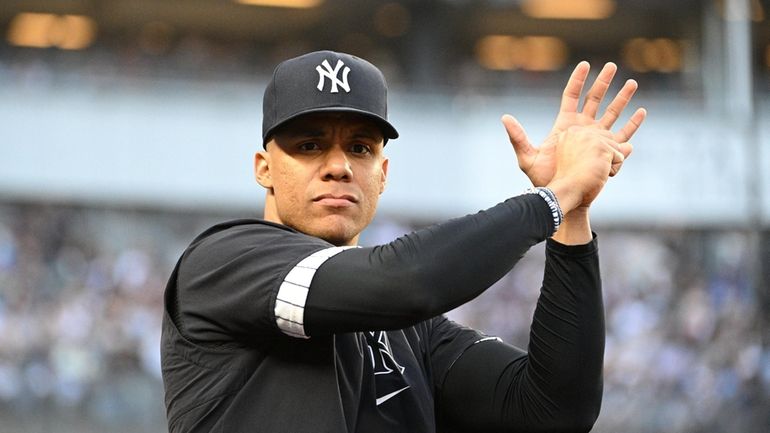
pixel 292 294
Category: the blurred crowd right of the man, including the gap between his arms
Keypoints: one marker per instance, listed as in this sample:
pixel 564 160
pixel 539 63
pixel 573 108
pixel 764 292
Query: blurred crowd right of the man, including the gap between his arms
pixel 684 348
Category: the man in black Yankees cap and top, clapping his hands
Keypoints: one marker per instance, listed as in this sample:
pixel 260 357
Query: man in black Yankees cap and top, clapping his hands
pixel 283 325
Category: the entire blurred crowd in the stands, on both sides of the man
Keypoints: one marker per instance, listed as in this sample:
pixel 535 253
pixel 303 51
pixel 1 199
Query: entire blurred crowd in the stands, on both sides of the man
pixel 81 297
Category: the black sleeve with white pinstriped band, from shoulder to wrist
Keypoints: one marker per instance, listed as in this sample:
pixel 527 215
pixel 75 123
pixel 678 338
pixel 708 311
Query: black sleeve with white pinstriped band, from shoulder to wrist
pixel 255 281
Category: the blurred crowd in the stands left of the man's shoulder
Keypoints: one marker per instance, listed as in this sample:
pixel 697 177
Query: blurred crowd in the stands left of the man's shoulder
pixel 80 311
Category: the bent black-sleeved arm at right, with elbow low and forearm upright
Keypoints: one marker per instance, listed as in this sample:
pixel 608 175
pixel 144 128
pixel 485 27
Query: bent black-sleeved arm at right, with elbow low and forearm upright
pixel 558 385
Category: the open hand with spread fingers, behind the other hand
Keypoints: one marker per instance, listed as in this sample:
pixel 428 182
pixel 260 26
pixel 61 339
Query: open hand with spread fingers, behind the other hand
pixel 539 163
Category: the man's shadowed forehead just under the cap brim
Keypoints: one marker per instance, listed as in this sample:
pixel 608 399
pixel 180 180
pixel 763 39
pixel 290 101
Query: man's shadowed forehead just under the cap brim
pixel 327 123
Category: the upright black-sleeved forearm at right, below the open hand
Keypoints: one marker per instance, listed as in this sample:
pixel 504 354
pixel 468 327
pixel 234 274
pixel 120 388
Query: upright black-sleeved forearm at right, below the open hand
pixel 566 348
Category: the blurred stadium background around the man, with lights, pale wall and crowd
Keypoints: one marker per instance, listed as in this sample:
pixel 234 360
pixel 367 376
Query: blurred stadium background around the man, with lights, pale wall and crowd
pixel 129 126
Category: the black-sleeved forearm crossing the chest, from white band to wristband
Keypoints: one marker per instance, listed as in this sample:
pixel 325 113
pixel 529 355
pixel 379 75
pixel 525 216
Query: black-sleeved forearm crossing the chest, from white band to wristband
pixel 425 273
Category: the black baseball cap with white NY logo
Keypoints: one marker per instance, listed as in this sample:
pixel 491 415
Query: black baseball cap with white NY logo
pixel 324 81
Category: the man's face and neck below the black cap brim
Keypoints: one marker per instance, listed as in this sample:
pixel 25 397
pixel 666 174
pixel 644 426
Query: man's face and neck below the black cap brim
pixel 324 174
